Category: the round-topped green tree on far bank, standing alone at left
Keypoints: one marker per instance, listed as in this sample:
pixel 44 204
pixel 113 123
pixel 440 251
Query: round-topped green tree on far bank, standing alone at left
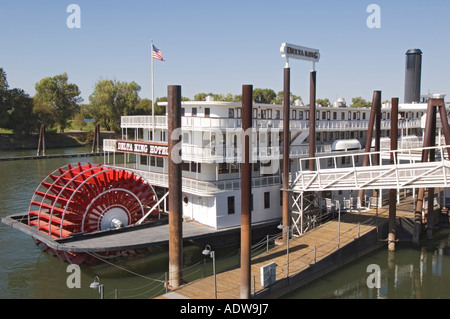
pixel 60 97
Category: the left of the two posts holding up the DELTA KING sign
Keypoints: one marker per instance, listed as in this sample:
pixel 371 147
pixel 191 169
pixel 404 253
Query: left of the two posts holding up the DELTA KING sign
pixel 286 146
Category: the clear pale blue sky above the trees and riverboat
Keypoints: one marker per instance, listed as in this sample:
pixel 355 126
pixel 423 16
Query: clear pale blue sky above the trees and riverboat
pixel 217 46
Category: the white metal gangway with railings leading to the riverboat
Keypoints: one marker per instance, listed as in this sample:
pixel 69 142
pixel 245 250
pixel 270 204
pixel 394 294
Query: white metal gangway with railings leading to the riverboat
pixel 407 171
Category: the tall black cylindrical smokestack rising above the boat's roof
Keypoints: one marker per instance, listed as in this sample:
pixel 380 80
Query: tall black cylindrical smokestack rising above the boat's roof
pixel 412 75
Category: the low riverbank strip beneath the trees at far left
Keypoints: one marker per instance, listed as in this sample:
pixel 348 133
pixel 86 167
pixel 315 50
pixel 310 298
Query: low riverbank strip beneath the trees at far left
pixel 69 139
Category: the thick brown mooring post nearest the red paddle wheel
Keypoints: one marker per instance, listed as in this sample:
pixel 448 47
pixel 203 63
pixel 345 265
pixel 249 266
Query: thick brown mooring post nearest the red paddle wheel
pixel 175 186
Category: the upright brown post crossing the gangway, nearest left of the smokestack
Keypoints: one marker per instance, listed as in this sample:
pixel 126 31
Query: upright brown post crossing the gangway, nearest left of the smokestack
pixel 393 192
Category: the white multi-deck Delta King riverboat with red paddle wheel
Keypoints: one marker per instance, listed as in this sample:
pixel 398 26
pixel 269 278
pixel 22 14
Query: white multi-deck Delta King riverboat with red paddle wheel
pixel 129 191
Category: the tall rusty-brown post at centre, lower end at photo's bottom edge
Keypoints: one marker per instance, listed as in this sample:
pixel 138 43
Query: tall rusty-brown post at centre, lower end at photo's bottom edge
pixel 246 191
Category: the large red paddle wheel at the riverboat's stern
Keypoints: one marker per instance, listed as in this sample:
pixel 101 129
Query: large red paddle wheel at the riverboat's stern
pixel 86 198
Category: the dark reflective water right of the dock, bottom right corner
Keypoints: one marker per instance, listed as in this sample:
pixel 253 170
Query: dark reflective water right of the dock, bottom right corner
pixel 408 273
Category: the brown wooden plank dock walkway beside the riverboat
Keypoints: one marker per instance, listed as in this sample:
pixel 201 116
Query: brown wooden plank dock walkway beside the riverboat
pixel 311 255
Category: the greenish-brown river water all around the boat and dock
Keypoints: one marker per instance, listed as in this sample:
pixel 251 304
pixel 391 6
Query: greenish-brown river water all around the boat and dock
pixel 27 272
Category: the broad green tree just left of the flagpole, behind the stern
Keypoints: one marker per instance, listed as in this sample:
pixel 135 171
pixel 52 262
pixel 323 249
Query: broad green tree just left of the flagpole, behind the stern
pixel 110 100
